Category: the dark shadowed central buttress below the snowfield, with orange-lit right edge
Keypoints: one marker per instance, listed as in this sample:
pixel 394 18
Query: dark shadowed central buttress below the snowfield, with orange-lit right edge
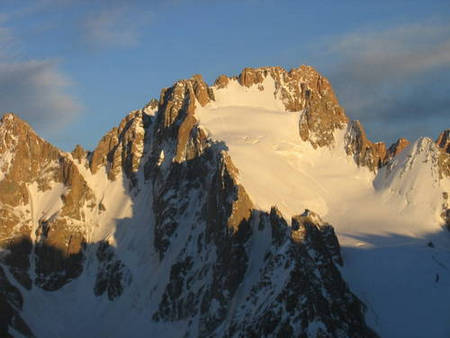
pixel 298 283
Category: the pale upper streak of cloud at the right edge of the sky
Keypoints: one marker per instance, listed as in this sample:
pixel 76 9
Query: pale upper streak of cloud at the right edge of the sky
pixel 396 53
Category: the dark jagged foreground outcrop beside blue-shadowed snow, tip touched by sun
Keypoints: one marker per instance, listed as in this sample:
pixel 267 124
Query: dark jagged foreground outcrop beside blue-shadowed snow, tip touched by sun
pixel 298 286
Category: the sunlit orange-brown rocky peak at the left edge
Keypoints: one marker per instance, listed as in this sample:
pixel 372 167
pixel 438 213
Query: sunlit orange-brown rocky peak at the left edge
pixel 33 160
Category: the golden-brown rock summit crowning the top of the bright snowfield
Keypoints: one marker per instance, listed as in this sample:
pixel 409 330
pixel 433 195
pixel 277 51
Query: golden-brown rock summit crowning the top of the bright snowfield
pixel 302 90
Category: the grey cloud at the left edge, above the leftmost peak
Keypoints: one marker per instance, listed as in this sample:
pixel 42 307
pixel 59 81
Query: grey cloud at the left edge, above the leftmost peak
pixel 34 88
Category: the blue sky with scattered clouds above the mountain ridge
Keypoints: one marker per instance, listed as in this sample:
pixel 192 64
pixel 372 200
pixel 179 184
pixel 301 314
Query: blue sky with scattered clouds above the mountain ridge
pixel 73 69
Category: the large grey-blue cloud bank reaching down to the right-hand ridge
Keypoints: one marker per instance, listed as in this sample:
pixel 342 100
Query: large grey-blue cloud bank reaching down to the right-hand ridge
pixel 394 78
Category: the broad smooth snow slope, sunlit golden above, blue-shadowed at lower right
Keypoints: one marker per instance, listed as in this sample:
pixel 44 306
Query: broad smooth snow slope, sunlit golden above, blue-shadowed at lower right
pixel 384 220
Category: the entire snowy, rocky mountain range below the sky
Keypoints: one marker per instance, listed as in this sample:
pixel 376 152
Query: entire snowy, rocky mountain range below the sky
pixel 250 208
